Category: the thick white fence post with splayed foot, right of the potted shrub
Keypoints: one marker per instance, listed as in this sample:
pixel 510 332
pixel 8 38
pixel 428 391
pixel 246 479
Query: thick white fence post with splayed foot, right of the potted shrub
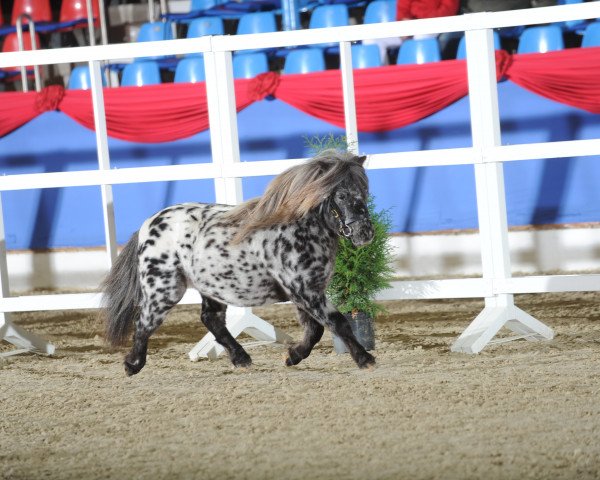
pixel 499 310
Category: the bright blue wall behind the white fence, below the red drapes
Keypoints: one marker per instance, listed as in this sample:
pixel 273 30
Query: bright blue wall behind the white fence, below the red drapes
pixel 420 199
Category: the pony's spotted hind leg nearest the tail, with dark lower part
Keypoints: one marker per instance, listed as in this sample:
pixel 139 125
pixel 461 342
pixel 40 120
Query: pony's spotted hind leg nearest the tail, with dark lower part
pixel 156 303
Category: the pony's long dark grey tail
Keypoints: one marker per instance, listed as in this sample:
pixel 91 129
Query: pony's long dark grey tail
pixel 122 294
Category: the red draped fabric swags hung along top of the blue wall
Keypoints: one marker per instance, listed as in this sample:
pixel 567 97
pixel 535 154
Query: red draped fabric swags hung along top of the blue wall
pixel 386 97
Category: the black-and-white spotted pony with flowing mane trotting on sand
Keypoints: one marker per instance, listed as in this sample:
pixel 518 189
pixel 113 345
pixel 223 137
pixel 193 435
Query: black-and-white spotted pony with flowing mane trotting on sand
pixel 275 248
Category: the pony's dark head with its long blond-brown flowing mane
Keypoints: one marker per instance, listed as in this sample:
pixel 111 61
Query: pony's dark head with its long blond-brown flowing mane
pixel 333 182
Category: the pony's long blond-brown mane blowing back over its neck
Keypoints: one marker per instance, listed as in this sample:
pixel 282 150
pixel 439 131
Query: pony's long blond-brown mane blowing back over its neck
pixel 298 190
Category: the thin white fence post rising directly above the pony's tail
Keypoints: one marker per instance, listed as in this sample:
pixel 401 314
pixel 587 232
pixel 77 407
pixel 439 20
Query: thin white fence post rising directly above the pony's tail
pixel 108 210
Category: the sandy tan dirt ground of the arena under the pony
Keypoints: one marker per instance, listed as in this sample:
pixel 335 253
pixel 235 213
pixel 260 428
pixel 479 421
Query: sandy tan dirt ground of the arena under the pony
pixel 514 411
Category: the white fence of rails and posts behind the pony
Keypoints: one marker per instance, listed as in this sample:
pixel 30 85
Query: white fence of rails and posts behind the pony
pixel 487 155
